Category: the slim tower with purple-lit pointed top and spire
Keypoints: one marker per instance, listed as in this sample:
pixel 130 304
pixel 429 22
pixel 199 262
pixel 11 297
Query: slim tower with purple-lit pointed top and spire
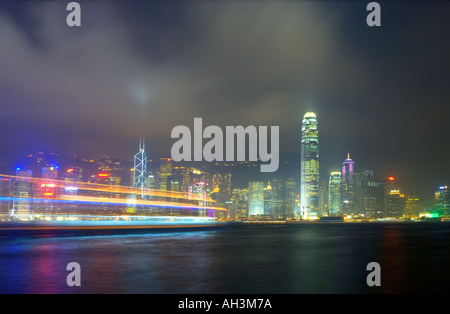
pixel 348 186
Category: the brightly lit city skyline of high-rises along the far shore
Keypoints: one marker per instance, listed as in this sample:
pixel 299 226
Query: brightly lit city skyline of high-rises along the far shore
pixel 355 191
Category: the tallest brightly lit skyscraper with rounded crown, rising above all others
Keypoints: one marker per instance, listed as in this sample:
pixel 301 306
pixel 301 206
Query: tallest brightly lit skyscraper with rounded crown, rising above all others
pixel 309 167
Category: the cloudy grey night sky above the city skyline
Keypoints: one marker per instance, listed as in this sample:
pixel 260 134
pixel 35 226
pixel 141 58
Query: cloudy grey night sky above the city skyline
pixel 136 70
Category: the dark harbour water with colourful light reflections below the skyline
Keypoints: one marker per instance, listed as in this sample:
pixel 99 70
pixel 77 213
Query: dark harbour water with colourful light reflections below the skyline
pixel 289 259
